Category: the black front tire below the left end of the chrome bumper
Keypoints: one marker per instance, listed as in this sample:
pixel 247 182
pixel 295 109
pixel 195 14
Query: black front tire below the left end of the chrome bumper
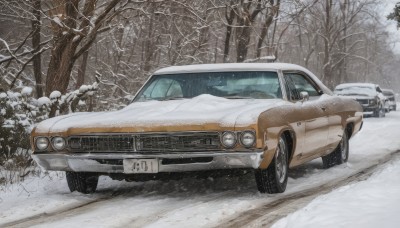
pixel 82 182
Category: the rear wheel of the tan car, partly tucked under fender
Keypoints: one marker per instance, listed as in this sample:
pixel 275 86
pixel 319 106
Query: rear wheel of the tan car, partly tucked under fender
pixel 340 155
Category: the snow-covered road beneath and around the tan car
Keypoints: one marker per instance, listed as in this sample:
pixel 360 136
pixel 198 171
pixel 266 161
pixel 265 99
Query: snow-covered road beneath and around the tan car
pixel 46 201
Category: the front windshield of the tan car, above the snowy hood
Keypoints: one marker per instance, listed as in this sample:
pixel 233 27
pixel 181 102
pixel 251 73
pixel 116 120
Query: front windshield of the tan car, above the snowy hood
pixel 232 85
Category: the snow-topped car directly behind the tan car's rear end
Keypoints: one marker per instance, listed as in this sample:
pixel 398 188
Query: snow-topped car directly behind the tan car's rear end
pixel 369 95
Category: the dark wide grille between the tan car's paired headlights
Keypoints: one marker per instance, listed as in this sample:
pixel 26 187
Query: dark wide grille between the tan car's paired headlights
pixel 162 142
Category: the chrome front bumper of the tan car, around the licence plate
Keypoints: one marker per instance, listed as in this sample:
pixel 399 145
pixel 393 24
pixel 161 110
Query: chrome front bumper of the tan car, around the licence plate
pixel 87 162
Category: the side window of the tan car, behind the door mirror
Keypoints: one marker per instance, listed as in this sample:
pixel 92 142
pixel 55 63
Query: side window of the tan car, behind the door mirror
pixel 296 83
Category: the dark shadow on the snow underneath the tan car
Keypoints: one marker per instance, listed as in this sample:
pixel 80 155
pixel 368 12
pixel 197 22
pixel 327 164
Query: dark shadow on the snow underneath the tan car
pixel 197 184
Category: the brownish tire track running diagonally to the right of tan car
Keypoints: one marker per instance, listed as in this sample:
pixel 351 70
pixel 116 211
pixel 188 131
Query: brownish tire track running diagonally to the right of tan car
pixel 267 214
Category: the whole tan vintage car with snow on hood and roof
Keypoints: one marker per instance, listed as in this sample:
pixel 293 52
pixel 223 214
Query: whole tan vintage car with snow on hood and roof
pixel 261 117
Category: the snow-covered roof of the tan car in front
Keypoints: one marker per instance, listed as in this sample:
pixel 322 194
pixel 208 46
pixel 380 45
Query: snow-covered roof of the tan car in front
pixel 228 67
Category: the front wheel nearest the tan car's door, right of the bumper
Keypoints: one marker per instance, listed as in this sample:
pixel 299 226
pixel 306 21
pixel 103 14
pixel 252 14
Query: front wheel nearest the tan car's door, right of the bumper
pixel 274 179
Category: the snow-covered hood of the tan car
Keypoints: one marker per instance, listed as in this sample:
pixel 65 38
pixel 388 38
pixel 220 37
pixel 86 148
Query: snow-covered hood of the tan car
pixel 204 112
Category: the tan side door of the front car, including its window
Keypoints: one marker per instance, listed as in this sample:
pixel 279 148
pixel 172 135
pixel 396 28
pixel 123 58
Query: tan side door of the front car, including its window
pixel 313 113
